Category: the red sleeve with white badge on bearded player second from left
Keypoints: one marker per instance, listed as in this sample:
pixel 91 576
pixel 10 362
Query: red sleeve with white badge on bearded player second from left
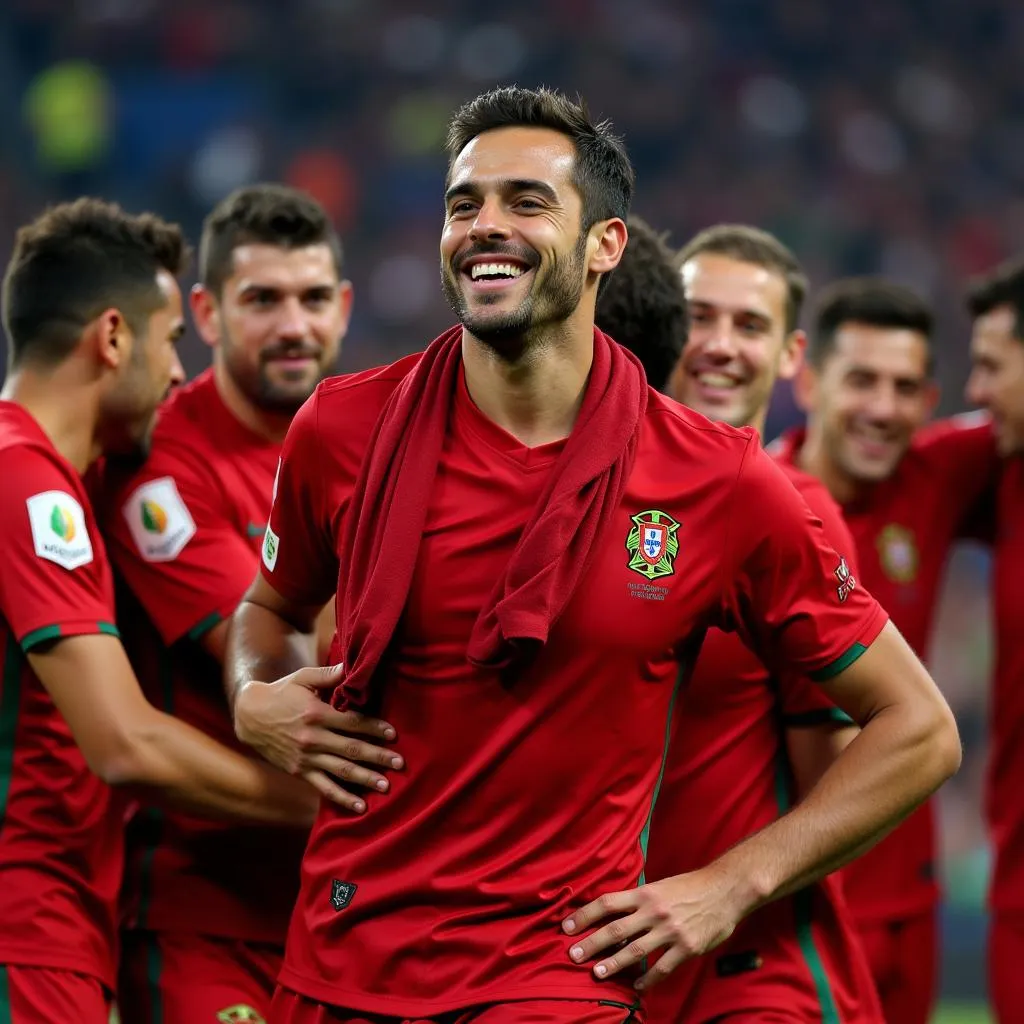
pixel 174 541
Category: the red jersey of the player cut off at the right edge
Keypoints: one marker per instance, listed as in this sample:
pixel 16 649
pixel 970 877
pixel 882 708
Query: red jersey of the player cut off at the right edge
pixel 1005 809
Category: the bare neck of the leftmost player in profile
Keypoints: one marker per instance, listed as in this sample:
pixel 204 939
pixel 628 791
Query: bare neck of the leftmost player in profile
pixel 67 411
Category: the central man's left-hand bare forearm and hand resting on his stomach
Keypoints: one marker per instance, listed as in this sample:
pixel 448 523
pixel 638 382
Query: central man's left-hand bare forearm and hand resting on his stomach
pixel 286 720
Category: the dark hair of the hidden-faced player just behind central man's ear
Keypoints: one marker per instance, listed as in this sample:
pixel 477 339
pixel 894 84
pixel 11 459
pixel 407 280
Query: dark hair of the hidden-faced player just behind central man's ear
pixel 644 306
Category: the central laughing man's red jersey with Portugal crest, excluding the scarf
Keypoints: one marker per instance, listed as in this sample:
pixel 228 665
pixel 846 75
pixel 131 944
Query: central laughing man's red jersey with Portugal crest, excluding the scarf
pixel 526 798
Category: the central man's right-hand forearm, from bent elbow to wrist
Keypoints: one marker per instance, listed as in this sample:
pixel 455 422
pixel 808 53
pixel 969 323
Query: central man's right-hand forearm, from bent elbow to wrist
pixel 897 761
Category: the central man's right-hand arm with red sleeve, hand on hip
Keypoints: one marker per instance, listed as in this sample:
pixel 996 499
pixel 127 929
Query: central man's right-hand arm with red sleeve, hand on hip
pixel 907 748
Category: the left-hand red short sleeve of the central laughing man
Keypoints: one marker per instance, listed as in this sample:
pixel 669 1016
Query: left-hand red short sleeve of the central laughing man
pixel 298 557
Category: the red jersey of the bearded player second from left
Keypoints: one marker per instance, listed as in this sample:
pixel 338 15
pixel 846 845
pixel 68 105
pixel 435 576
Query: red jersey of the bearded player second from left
pixel 185 535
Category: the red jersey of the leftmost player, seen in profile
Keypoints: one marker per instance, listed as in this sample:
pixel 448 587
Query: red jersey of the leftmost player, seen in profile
pixel 61 827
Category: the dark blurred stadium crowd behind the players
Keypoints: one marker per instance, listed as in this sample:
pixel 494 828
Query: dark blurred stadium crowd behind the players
pixel 883 138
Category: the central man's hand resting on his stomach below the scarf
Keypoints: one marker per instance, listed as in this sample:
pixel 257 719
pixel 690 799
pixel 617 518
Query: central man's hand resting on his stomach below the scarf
pixel 289 724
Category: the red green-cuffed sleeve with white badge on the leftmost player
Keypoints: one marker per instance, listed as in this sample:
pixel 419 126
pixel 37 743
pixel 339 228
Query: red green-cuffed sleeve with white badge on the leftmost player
pixel 55 581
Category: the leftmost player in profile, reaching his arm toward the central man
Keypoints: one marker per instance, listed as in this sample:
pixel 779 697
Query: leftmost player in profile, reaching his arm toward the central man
pixel 93 313
